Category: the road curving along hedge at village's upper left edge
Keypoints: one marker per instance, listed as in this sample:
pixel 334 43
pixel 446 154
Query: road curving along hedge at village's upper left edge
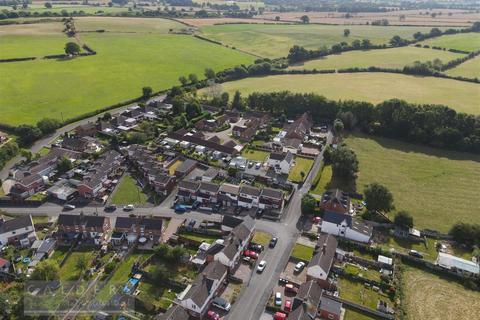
pixel 47 141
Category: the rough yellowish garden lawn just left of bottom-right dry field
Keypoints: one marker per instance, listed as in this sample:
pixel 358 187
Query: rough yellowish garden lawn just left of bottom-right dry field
pixel 358 293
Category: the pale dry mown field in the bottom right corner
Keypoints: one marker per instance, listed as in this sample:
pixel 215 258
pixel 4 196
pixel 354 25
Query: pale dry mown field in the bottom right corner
pixel 428 296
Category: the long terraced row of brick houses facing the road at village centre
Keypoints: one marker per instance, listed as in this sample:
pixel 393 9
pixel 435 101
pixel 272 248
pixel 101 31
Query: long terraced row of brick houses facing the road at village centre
pixel 229 195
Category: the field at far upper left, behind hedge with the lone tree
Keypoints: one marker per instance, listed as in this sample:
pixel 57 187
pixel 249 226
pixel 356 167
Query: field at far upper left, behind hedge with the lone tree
pixel 32 40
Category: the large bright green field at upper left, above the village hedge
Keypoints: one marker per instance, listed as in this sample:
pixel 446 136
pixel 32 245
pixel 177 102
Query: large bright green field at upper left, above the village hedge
pixel 124 64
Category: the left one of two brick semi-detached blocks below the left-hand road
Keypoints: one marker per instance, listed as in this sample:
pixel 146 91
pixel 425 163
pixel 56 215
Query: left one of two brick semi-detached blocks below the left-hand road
pixel 93 228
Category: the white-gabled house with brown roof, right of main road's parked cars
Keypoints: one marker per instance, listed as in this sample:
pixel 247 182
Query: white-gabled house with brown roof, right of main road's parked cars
pixel 319 266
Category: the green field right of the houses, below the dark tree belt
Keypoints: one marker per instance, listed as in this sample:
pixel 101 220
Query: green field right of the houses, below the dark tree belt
pixel 423 180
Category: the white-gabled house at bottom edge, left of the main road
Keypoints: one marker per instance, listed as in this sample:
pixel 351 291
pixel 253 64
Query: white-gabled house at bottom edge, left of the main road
pixel 197 296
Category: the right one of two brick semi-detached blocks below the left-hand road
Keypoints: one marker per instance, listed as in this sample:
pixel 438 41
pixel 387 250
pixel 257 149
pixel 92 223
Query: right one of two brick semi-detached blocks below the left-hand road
pixel 133 228
